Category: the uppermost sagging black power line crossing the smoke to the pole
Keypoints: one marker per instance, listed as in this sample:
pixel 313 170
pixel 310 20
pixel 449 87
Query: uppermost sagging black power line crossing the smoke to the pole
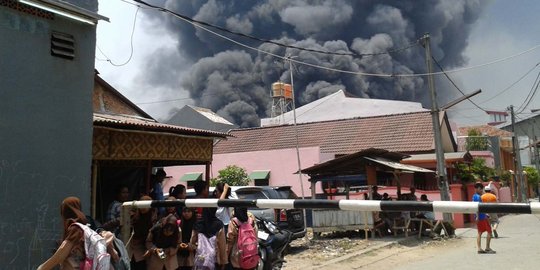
pixel 408 46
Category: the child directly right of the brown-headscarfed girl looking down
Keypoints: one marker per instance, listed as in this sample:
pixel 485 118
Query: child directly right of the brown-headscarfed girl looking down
pixel 186 250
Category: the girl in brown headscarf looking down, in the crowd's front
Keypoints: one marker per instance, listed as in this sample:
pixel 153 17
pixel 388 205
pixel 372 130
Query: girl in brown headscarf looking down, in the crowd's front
pixel 162 244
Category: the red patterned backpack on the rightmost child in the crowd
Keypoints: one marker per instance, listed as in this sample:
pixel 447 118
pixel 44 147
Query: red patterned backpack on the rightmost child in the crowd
pixel 247 244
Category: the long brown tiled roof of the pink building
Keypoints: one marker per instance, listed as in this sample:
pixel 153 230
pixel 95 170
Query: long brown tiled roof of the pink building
pixel 407 133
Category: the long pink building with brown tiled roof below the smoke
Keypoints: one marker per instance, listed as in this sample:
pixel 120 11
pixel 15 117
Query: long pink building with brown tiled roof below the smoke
pixel 272 149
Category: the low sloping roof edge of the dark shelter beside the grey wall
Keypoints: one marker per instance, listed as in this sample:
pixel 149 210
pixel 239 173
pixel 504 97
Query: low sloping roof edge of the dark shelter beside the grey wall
pixel 139 123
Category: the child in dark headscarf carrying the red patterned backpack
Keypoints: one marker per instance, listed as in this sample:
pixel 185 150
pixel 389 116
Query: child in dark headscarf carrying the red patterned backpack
pixel 240 216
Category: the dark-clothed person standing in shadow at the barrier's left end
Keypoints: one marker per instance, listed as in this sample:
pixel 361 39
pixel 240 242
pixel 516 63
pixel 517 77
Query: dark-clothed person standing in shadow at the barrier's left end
pixel 142 220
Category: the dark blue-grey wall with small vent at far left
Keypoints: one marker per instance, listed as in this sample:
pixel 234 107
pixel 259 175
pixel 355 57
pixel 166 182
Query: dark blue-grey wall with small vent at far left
pixel 45 132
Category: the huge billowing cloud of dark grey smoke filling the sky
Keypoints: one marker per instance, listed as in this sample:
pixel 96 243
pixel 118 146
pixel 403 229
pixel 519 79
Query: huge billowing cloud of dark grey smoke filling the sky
pixel 235 82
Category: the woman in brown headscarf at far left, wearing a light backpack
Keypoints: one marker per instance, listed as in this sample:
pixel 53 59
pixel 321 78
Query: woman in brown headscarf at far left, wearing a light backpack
pixel 71 253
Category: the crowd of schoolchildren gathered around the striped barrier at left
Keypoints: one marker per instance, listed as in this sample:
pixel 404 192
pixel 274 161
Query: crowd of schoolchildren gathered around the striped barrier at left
pixel 161 238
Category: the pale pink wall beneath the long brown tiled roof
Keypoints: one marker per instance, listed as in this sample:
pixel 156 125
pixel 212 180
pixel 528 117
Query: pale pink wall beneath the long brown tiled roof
pixel 282 164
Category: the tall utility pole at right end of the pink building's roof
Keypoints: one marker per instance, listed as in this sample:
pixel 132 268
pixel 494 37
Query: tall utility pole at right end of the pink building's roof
pixel 439 151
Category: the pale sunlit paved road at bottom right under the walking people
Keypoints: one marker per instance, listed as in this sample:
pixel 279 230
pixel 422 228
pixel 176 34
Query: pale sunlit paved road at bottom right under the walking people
pixel 518 247
